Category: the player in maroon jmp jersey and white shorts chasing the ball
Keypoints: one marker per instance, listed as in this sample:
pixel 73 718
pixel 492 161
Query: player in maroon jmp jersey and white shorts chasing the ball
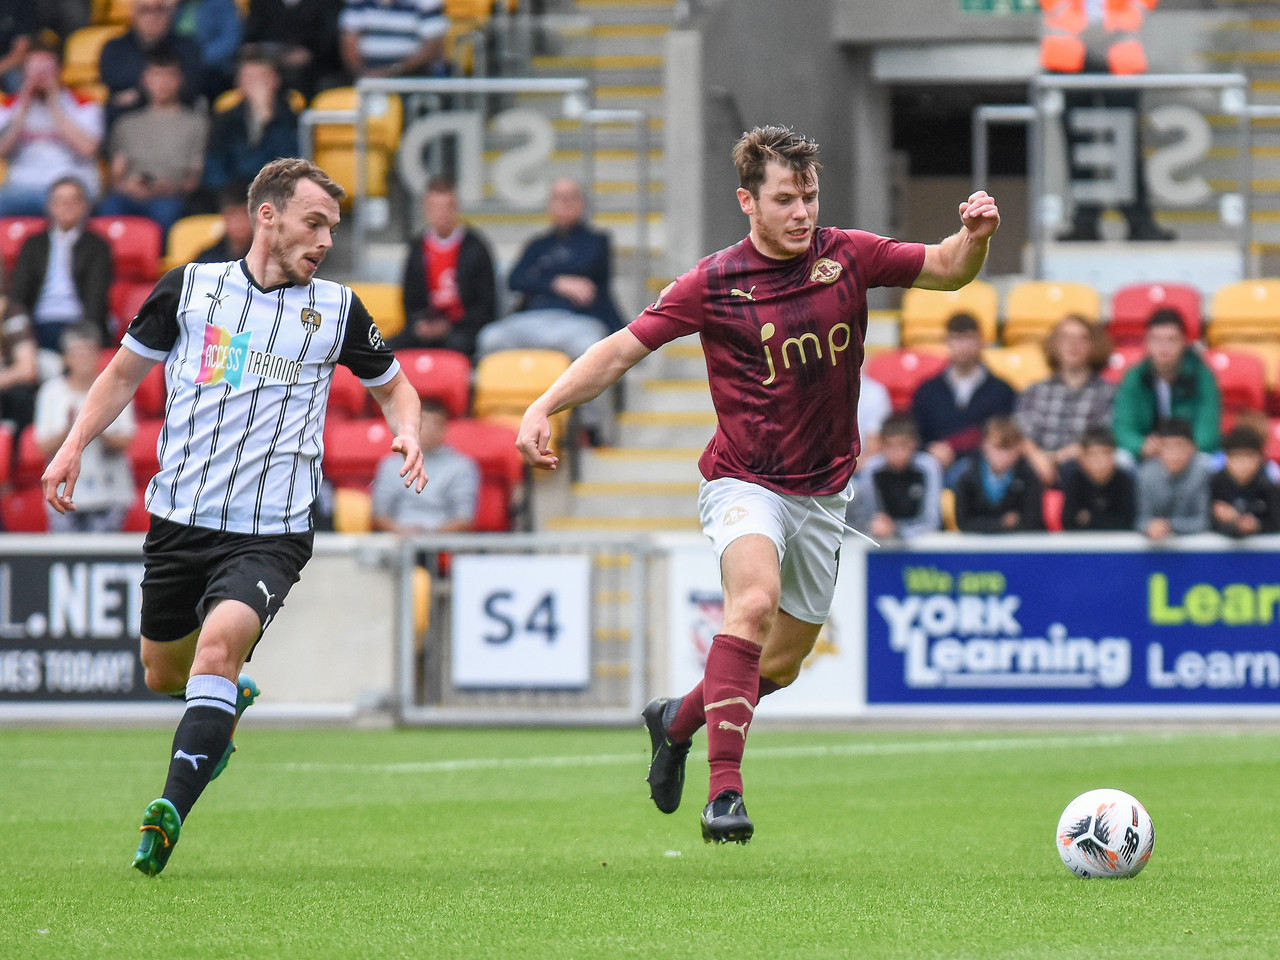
pixel 783 317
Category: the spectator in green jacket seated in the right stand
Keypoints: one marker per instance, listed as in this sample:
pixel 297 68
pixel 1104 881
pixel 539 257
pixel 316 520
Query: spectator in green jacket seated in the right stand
pixel 1171 382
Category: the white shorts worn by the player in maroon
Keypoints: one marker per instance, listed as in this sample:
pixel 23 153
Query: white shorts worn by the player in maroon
pixel 807 531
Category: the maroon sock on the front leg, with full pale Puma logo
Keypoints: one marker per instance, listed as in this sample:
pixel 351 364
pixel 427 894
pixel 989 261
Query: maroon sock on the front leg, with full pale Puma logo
pixel 730 692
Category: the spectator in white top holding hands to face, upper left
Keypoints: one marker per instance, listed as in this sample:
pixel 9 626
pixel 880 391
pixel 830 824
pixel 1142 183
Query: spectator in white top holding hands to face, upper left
pixel 47 132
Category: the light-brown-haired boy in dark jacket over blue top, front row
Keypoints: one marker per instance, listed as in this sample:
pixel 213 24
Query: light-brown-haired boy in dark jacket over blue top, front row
pixel 999 492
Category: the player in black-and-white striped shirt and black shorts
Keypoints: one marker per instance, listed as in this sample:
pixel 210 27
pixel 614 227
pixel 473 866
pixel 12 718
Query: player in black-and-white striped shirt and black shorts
pixel 249 350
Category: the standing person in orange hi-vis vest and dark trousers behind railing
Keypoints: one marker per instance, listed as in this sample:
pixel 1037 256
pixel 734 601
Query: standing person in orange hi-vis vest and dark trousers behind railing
pixel 1100 36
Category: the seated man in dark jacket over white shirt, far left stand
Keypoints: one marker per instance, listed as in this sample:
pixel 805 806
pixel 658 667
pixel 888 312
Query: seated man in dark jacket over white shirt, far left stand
pixel 65 273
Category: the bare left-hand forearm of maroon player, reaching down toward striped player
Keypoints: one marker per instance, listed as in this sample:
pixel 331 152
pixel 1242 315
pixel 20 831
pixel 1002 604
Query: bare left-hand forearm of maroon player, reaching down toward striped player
pixel 587 378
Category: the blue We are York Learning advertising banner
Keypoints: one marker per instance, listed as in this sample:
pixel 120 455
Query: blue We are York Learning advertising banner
pixel 1144 628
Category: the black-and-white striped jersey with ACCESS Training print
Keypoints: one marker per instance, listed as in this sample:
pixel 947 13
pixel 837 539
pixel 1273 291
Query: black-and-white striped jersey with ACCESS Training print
pixel 248 374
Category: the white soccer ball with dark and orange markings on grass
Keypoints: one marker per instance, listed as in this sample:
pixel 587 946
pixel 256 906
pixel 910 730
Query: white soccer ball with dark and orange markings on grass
pixel 1105 834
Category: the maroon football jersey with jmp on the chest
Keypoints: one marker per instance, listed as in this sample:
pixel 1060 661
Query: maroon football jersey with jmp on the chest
pixel 784 345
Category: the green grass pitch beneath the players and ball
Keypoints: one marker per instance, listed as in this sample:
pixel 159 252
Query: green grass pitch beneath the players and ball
pixel 543 844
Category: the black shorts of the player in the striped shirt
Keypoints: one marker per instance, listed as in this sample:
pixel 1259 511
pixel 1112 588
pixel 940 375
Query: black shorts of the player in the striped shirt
pixel 189 568
